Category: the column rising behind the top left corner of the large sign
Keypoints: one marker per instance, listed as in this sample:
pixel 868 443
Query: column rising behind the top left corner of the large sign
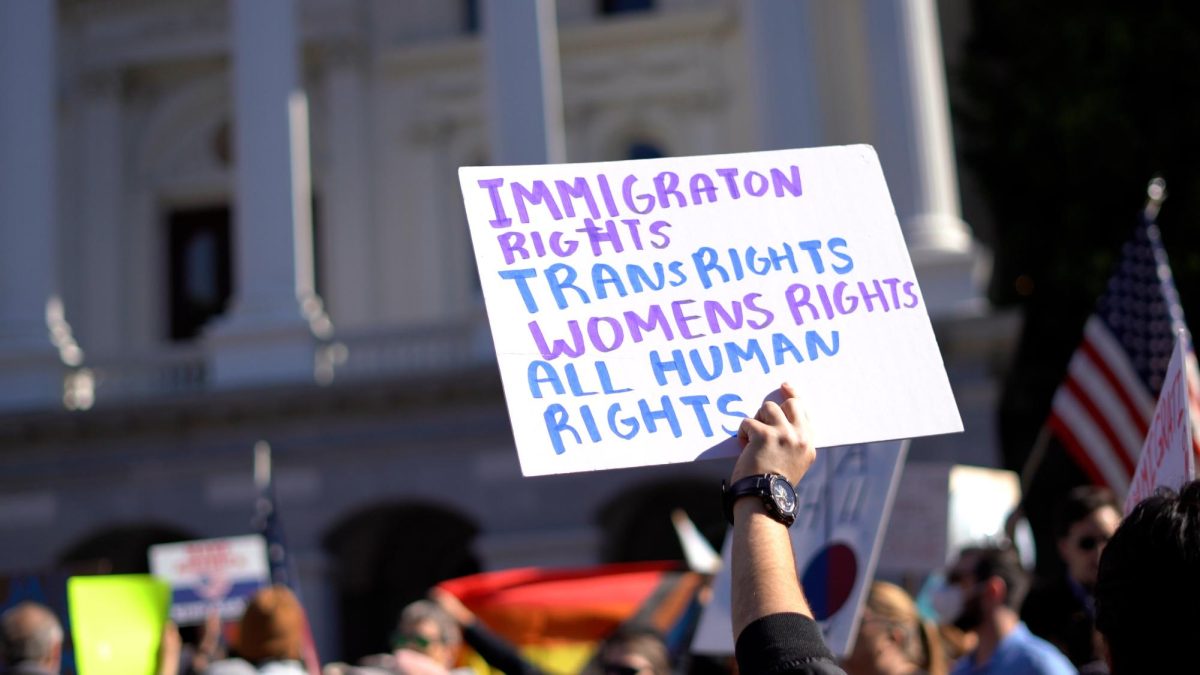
pixel 525 89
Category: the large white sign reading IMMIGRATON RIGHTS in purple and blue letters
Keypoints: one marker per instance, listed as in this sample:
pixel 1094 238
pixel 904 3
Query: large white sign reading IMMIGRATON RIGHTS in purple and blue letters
pixel 641 309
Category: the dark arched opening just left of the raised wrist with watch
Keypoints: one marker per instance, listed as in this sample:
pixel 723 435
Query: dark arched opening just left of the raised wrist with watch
pixel 638 527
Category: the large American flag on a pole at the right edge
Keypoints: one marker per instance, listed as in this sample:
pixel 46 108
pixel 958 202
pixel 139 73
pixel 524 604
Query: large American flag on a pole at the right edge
pixel 1103 409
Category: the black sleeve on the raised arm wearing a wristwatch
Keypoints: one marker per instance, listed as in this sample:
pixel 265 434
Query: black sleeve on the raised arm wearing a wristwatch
pixel 784 643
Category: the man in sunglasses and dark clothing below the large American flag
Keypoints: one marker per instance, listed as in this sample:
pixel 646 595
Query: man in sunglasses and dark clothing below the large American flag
pixel 1061 610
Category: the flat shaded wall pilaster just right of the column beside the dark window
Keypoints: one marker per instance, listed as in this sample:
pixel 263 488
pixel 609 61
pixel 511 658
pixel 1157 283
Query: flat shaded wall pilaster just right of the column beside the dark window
pixel 346 228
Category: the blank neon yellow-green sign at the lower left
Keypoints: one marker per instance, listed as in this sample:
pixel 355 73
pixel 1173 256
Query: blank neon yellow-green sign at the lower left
pixel 117 623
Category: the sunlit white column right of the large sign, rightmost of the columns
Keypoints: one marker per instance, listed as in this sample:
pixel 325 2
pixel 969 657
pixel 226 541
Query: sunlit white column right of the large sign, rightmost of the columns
pixel 916 147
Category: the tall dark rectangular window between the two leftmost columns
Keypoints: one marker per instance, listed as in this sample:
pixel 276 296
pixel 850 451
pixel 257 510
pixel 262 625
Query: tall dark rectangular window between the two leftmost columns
pixel 200 268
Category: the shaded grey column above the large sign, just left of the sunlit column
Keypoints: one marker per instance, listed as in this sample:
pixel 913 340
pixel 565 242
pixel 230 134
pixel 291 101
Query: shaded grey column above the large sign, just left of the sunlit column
pixel 784 82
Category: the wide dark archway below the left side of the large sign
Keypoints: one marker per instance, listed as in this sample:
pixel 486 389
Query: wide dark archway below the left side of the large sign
pixel 388 557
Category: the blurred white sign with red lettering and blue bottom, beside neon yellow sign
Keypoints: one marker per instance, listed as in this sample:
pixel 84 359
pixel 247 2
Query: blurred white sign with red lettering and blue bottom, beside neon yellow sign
pixel 208 575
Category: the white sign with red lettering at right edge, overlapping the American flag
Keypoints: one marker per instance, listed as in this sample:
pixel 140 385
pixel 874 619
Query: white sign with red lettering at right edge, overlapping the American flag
pixel 1167 457
